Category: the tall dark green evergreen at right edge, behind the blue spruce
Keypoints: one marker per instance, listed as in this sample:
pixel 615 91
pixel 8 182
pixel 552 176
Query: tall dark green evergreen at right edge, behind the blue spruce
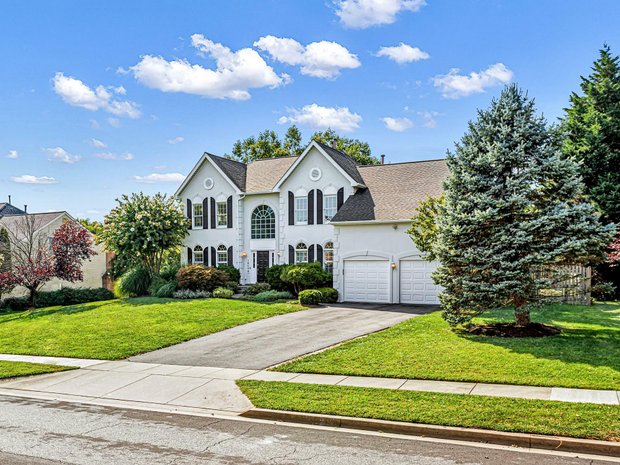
pixel 592 129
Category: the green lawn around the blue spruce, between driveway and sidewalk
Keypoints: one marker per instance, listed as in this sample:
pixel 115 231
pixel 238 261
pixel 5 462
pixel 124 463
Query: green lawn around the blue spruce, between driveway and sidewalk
pixel 585 355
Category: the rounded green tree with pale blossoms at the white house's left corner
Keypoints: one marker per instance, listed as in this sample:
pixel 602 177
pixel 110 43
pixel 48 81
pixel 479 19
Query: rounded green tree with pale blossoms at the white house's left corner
pixel 142 229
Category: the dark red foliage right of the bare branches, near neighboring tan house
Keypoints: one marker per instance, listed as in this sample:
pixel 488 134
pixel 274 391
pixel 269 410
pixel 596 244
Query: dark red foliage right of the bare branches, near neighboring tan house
pixel 71 246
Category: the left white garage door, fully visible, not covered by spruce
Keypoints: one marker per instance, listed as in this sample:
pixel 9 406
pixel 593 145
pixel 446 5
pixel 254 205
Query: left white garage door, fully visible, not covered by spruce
pixel 366 281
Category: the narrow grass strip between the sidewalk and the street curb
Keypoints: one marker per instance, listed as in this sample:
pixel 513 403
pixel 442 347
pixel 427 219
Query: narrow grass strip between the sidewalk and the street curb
pixel 519 415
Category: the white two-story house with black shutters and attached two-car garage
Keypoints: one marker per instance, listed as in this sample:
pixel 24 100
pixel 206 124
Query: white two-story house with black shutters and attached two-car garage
pixel 320 206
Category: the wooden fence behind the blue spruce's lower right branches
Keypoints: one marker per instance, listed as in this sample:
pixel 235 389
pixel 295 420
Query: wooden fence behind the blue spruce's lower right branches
pixel 568 284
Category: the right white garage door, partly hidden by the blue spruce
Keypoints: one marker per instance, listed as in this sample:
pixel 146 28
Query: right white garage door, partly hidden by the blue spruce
pixel 416 283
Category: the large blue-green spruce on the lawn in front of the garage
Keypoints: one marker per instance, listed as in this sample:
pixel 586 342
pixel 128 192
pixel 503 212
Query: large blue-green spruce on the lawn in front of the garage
pixel 513 207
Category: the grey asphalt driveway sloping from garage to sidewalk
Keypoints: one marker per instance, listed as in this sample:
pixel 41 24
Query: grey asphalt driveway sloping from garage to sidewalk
pixel 268 342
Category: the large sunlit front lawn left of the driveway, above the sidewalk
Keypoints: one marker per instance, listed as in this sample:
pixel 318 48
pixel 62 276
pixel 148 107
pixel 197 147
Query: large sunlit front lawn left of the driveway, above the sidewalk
pixel 116 329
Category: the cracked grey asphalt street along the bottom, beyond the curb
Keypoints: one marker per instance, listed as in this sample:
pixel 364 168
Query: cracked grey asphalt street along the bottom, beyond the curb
pixel 34 432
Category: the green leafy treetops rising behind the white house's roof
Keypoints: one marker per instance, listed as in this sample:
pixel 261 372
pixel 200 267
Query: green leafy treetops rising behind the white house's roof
pixel 269 145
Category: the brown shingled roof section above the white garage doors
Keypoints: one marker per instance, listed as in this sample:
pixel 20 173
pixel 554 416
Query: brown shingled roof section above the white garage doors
pixel 393 191
